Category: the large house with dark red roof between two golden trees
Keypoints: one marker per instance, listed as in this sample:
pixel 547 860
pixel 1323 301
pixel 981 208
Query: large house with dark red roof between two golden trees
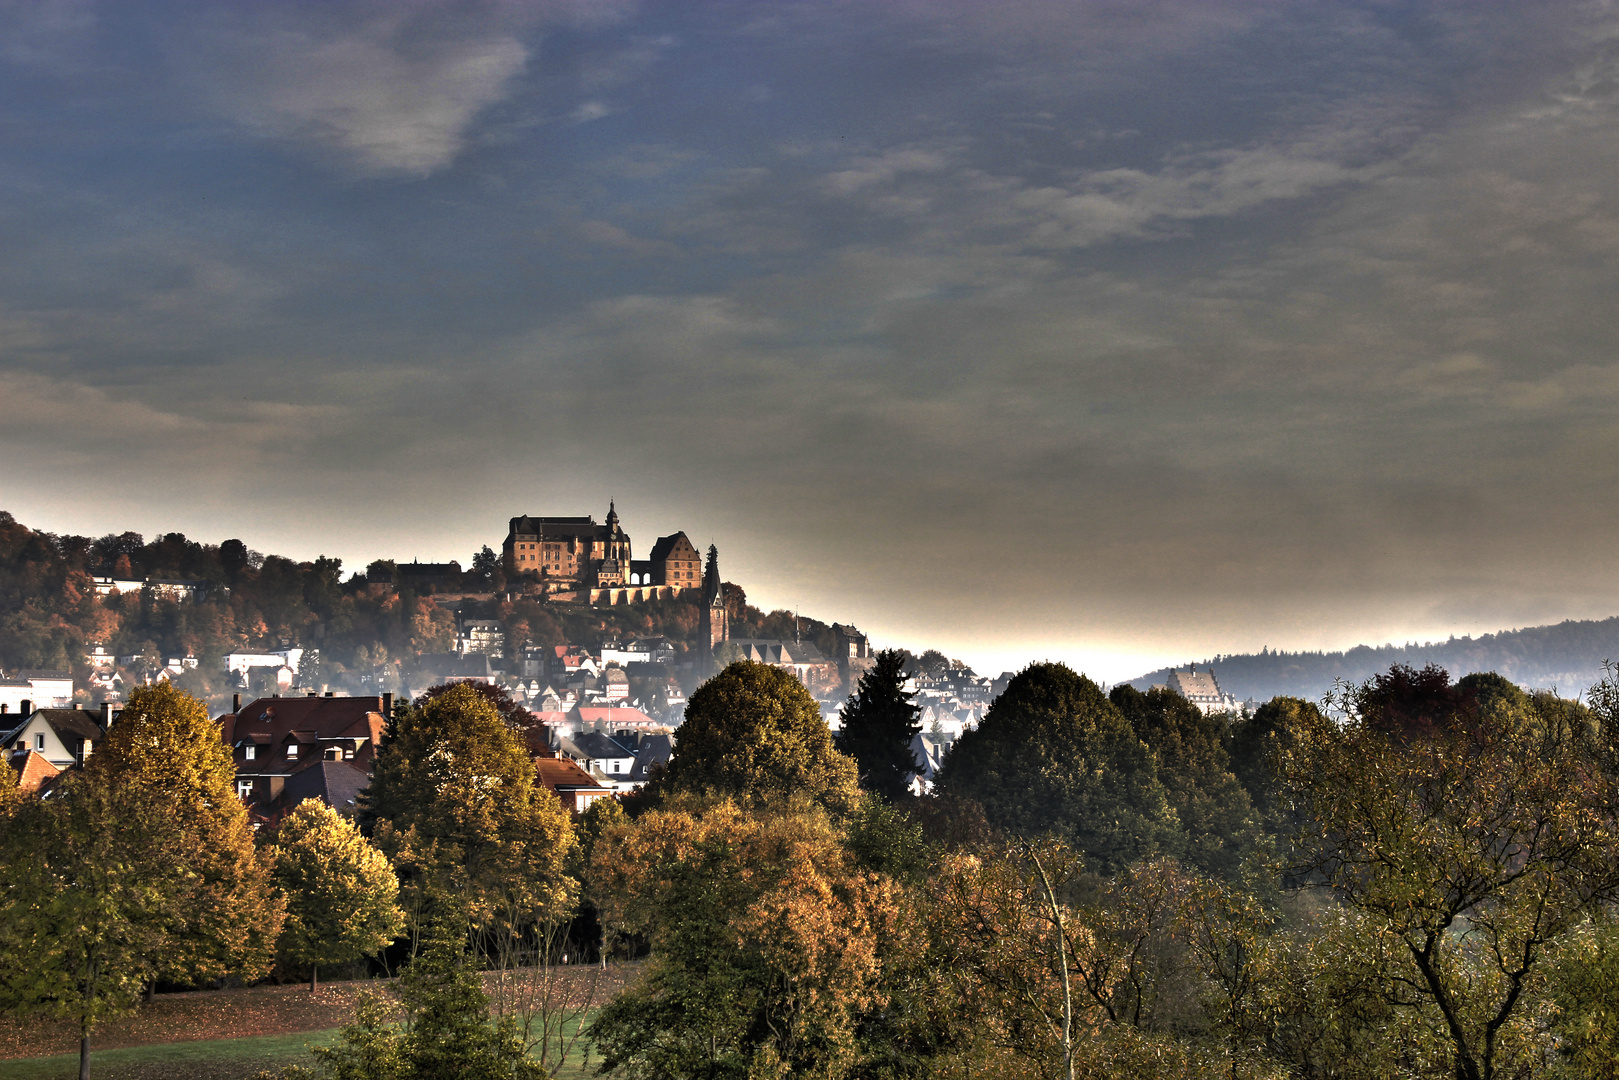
pixel 276 739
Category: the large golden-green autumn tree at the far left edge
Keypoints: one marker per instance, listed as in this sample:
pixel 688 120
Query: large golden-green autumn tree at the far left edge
pixel 140 869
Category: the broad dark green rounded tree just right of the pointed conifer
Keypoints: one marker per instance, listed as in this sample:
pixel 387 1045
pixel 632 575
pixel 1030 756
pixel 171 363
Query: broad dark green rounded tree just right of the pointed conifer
pixel 1053 755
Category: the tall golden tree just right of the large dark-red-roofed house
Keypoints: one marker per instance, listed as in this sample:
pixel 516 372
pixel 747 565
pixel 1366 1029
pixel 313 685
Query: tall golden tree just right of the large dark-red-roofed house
pixel 454 802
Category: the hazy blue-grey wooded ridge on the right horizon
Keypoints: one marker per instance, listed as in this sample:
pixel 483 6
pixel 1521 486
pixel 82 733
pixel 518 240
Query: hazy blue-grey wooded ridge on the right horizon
pixel 1566 657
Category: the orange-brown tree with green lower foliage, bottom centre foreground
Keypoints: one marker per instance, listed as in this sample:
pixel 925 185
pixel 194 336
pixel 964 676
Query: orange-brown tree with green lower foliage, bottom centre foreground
pixel 767 943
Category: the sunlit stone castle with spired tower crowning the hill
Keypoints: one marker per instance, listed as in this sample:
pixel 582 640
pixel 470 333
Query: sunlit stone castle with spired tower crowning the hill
pixel 580 559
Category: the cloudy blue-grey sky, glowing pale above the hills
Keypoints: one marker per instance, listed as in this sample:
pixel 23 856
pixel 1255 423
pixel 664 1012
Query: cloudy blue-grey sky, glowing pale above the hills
pixel 1120 333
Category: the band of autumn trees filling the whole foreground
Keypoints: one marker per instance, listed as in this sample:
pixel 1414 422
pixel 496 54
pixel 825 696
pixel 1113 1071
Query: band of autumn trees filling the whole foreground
pixel 1414 880
